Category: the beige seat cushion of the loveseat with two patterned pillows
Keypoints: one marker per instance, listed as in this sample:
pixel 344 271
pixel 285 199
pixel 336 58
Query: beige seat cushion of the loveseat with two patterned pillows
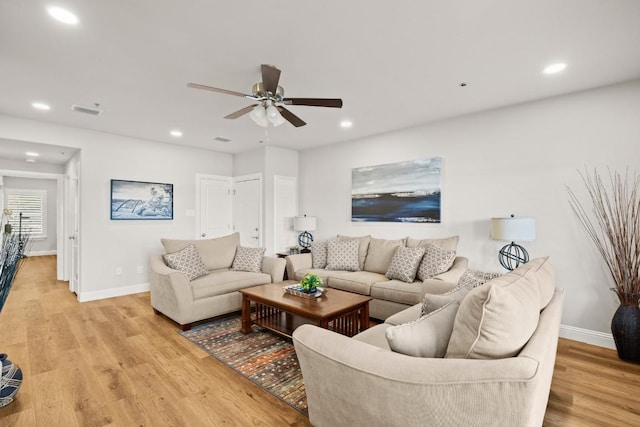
pixel 224 281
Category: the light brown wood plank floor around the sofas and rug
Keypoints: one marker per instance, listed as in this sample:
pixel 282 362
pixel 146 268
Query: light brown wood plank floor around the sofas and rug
pixel 113 362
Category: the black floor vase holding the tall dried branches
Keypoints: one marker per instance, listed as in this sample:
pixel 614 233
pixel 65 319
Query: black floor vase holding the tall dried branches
pixel 625 328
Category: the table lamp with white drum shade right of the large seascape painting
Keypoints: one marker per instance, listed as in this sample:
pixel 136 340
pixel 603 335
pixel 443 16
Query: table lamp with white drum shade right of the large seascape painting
pixel 512 229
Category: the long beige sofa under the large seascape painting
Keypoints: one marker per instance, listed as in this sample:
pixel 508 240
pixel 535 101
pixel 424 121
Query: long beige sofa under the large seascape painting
pixel 374 257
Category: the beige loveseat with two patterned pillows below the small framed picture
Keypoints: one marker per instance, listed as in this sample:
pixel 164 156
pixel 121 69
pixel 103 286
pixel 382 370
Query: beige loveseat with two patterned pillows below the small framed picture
pixel 212 294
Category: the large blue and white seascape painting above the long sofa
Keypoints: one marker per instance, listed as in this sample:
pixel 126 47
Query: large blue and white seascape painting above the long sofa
pixel 397 192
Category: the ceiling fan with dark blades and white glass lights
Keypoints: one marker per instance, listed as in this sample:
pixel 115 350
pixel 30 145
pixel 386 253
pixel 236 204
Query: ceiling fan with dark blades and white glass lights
pixel 271 101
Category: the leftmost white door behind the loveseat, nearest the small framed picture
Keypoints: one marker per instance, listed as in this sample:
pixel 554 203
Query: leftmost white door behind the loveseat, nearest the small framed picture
pixel 214 210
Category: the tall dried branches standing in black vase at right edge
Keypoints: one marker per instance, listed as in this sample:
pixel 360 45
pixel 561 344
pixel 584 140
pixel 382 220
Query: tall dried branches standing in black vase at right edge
pixel 614 227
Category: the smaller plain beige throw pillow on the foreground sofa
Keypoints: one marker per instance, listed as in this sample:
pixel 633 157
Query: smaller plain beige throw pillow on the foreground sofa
pixel 426 337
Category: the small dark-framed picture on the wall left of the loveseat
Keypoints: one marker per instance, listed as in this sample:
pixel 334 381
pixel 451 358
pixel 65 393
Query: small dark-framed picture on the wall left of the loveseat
pixel 141 200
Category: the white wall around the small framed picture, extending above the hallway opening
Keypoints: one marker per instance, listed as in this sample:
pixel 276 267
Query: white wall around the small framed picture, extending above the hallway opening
pixel 105 244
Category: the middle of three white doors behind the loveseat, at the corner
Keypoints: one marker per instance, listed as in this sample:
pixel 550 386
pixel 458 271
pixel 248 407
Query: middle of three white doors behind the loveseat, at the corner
pixel 247 209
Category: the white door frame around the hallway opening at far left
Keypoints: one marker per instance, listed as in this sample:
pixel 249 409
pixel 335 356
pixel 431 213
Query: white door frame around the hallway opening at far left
pixel 61 255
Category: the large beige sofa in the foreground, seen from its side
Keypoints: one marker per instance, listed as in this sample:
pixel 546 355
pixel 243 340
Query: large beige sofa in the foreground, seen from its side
pixel 360 381
